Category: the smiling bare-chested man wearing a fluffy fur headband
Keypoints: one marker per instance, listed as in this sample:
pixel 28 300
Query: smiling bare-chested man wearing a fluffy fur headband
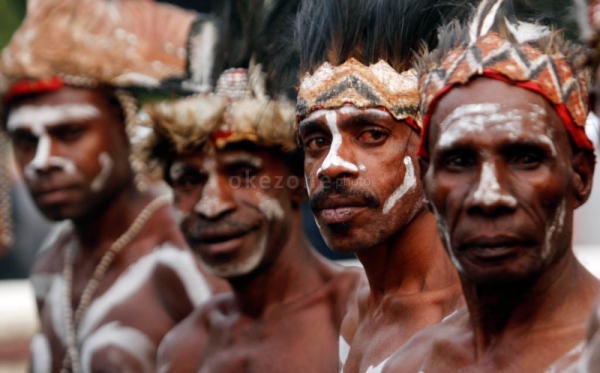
pixel 232 160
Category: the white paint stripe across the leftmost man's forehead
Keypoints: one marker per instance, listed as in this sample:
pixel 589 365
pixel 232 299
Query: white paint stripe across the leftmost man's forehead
pixel 49 115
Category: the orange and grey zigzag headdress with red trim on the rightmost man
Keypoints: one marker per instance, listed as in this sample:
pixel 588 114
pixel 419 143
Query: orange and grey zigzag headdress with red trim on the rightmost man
pixel 526 55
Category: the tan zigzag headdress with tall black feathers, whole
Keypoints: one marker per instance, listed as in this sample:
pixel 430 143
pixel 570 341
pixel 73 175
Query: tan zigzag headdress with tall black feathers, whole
pixel 360 52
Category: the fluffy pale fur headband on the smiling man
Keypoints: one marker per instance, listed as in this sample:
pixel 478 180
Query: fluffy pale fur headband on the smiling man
pixel 238 110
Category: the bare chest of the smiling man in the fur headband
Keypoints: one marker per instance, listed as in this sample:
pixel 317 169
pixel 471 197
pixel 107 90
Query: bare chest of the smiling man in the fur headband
pixel 301 341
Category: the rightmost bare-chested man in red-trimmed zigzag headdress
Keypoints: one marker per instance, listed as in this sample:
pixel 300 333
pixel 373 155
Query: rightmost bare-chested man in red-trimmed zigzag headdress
pixel 505 162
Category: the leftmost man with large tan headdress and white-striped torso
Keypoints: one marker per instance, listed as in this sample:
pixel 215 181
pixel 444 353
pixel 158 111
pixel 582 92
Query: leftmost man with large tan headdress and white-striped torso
pixel 96 279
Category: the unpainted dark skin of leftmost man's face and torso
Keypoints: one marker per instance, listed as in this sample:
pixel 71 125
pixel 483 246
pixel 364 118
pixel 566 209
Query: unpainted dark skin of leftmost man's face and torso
pixel 98 216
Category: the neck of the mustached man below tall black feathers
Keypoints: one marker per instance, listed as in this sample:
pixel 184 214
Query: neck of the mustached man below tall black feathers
pixel 411 261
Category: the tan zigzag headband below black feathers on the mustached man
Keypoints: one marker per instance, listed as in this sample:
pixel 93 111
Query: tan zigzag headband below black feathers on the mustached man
pixel 378 85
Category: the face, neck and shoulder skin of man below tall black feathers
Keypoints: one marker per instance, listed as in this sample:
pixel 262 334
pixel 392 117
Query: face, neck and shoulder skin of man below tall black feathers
pixel 411 282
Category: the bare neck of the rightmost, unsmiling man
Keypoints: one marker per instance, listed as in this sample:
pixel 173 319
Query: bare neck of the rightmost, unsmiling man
pixel 562 296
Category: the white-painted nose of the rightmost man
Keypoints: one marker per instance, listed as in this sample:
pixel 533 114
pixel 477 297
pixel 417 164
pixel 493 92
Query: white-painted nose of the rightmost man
pixel 489 196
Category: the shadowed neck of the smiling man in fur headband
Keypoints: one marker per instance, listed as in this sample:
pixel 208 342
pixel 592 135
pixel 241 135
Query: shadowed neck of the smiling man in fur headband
pixel 296 271
